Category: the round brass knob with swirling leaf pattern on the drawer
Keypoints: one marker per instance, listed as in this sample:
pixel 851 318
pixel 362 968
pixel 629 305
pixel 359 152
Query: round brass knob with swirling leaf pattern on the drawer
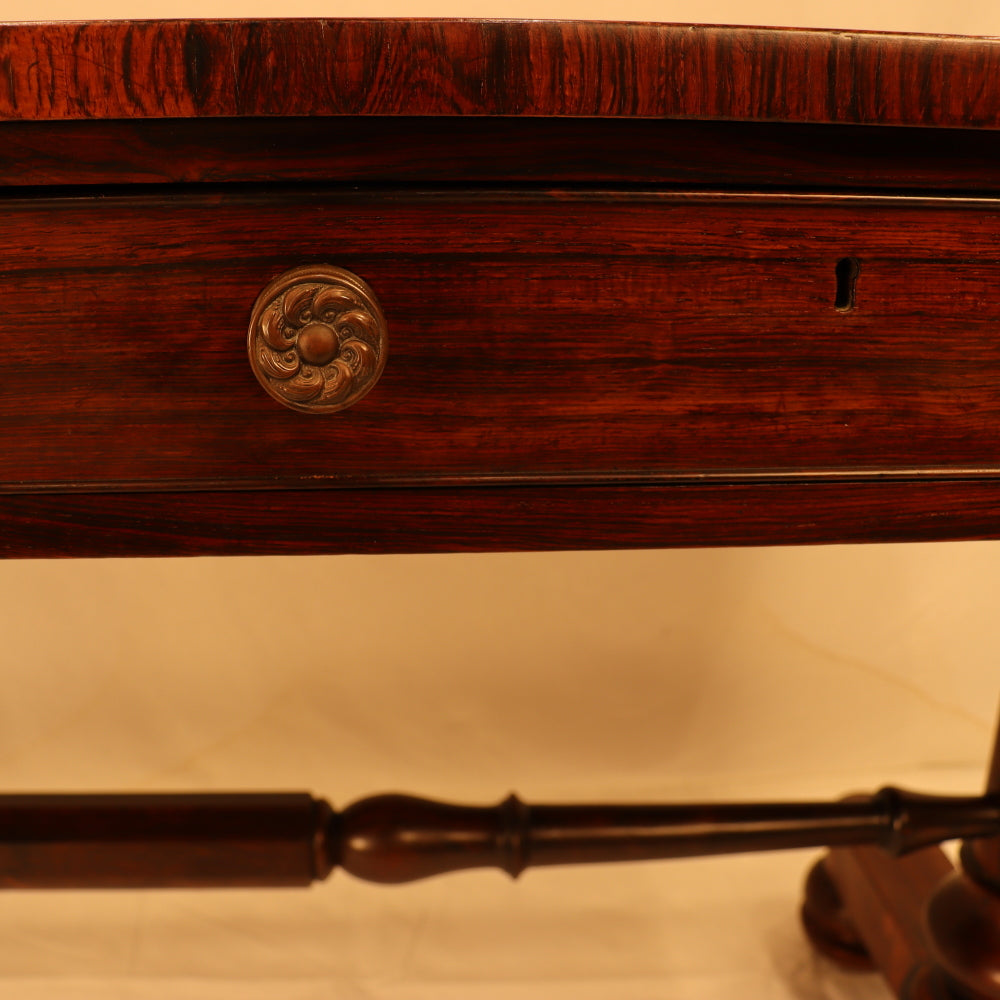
pixel 318 338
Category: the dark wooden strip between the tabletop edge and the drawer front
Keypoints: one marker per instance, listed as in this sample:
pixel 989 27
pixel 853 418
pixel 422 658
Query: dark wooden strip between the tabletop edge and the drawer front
pixel 478 150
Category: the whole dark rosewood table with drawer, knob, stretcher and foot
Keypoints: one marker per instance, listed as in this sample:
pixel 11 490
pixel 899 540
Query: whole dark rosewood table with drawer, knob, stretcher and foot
pixel 395 286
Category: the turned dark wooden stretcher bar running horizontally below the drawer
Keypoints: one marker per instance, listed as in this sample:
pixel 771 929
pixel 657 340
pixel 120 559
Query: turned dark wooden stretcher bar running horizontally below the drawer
pixel 175 840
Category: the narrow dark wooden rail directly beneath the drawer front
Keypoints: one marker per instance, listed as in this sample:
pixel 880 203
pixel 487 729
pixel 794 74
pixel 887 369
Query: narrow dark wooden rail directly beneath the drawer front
pixel 512 518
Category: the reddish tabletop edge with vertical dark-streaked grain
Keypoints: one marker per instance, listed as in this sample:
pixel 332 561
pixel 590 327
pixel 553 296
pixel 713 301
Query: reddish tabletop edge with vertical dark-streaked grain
pixel 171 69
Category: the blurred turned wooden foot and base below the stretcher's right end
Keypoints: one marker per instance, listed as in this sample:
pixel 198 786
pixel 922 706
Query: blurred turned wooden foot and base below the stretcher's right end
pixel 930 929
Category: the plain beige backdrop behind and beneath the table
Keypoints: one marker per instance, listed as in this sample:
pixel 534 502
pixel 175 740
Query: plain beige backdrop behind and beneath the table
pixel 755 673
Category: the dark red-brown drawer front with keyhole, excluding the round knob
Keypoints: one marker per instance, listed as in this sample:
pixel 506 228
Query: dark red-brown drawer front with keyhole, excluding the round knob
pixel 533 337
